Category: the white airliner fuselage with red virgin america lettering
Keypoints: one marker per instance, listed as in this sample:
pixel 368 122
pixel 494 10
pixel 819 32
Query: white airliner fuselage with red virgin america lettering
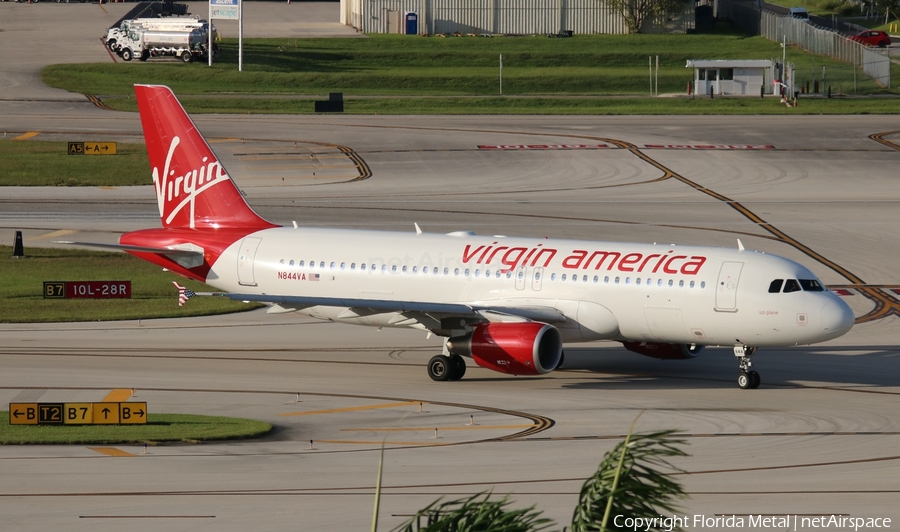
pixel 605 290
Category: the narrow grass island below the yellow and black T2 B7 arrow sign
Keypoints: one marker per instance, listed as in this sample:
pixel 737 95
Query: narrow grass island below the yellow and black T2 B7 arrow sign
pixel 159 428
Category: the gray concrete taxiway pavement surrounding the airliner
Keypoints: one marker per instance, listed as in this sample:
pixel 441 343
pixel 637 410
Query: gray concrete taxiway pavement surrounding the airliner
pixel 820 437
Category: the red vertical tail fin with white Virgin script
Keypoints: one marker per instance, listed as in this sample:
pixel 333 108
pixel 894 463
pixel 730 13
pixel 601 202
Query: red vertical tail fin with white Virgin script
pixel 193 189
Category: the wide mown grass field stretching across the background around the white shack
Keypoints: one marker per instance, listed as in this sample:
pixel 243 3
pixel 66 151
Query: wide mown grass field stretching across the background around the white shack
pixel 419 66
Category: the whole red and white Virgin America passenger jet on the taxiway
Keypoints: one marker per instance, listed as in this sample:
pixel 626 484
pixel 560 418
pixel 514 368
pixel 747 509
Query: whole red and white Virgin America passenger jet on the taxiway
pixel 507 303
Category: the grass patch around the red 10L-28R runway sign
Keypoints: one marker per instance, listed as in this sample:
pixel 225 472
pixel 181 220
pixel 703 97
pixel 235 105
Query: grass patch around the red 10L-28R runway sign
pixel 153 296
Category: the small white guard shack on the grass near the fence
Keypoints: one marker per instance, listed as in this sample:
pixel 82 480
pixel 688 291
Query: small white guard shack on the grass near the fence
pixel 731 76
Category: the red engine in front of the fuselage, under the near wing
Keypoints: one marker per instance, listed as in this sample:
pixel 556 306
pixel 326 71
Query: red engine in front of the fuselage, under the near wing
pixel 516 348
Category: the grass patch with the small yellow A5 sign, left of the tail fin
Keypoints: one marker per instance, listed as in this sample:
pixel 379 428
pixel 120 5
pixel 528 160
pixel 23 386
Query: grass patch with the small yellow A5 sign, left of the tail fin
pixel 47 163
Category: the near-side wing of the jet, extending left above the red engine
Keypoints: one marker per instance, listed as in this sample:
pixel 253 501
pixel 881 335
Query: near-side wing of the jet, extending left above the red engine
pixel 490 312
